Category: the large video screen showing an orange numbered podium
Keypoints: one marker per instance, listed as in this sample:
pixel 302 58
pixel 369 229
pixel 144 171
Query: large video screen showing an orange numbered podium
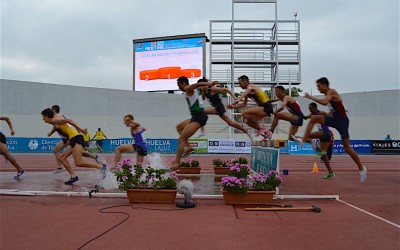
pixel 157 64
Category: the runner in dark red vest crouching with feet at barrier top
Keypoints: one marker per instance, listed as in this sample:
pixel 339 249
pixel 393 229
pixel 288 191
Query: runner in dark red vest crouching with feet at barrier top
pixel 295 116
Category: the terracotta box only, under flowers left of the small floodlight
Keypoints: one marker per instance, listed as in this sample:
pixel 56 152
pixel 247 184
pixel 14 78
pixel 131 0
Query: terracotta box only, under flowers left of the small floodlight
pixel 151 195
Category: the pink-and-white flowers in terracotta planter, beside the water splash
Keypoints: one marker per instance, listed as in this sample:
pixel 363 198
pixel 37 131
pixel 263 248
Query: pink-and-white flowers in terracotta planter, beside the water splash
pixel 145 183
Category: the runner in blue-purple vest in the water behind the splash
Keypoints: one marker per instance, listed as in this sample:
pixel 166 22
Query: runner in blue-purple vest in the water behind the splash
pixel 139 146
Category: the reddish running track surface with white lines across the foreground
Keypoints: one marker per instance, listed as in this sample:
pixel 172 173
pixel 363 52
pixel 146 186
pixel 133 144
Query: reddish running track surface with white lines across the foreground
pixel 49 222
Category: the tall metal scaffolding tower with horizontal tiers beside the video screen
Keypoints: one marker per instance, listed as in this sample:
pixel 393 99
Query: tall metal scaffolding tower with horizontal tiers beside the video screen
pixel 266 50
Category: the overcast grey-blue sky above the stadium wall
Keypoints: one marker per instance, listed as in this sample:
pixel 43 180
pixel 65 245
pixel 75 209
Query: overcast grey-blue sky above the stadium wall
pixel 355 43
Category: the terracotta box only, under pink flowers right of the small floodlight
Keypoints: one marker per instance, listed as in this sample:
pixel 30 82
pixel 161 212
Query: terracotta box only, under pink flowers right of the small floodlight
pixel 250 198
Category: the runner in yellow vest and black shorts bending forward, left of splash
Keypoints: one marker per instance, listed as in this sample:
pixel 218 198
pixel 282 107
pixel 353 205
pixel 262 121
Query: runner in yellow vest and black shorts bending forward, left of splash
pixel 75 141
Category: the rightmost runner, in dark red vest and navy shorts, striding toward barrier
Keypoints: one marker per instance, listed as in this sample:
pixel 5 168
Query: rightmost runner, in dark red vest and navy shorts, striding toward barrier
pixel 338 120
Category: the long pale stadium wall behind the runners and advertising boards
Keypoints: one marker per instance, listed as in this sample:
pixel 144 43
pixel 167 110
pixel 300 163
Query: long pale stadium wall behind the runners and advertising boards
pixel 372 115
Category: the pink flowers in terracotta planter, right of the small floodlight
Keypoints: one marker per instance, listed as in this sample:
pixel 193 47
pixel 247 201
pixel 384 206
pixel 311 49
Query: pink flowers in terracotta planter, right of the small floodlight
pixel 240 188
